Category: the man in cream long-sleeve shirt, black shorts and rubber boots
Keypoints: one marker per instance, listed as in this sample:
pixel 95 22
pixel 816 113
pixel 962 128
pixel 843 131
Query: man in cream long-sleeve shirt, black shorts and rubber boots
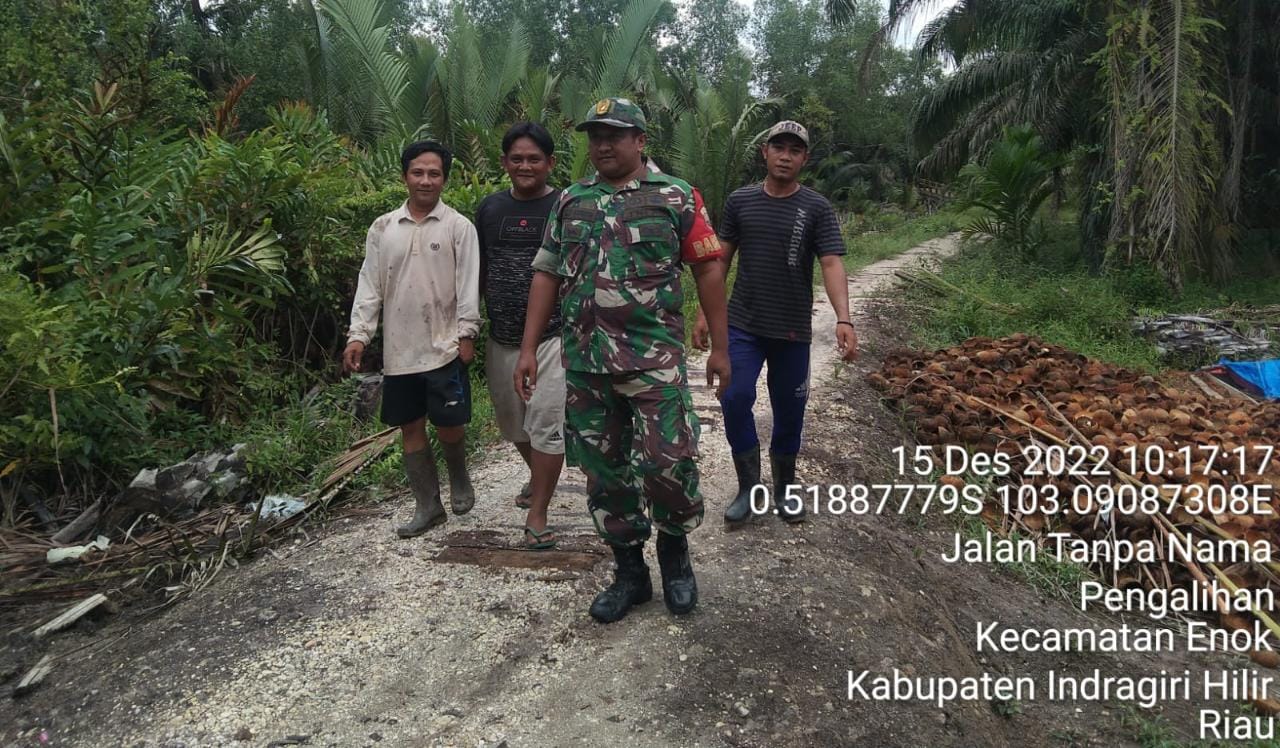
pixel 422 275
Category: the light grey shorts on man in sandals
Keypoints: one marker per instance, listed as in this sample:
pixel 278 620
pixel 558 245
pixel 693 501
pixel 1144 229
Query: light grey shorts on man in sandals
pixel 541 422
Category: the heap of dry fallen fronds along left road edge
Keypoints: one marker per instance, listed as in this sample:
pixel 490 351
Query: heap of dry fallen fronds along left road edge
pixel 190 554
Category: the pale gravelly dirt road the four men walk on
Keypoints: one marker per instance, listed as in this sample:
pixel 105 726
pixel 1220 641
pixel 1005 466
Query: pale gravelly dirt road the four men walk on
pixel 359 638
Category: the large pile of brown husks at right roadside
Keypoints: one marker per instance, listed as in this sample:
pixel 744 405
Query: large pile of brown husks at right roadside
pixel 1007 395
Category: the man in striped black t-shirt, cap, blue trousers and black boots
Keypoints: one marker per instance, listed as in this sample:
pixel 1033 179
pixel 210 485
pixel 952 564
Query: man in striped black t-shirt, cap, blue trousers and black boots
pixel 778 229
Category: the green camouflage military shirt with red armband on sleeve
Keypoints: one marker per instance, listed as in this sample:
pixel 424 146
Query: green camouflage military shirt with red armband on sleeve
pixel 619 254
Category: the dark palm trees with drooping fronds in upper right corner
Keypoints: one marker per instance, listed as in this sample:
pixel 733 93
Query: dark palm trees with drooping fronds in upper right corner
pixel 1171 110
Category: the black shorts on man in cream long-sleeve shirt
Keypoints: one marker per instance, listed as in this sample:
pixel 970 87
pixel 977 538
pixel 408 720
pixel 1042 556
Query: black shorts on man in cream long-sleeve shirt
pixel 442 395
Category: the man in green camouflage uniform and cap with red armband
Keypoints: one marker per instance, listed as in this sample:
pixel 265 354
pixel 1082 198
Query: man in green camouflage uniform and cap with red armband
pixel 614 249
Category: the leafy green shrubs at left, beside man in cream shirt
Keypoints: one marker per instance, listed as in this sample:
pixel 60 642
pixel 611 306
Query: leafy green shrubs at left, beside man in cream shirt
pixel 162 290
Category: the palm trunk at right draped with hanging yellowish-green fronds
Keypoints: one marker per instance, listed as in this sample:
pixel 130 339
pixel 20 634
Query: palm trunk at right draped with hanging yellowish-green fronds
pixel 1164 156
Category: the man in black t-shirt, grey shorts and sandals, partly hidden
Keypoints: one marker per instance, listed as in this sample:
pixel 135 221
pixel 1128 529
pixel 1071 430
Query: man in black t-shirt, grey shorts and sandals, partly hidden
pixel 511 226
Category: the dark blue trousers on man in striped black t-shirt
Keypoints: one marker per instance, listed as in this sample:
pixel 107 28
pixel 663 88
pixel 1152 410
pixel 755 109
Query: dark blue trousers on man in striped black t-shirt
pixel 789 391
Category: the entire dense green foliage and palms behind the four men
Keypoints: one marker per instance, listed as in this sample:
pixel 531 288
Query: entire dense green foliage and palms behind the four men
pixel 185 186
